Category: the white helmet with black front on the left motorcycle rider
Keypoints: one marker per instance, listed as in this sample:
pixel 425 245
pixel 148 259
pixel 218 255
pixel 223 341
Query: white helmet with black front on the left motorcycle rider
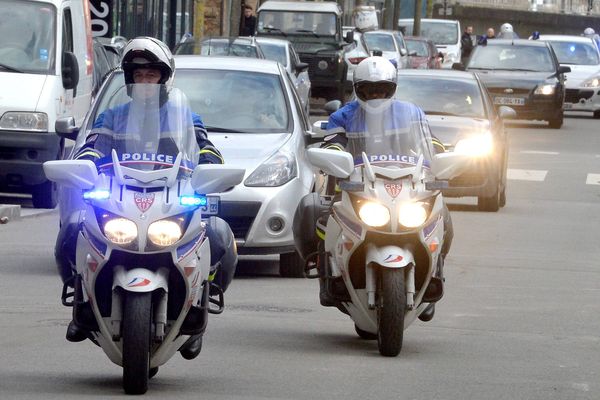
pixel 148 52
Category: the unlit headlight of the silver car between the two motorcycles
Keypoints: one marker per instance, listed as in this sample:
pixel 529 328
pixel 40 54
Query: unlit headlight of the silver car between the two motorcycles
pixel 276 171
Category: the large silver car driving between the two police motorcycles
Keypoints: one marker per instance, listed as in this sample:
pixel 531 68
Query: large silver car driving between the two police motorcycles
pixel 255 118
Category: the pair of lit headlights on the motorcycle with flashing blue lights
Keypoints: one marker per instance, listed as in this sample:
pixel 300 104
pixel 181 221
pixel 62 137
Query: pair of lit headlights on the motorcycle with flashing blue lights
pixel 123 231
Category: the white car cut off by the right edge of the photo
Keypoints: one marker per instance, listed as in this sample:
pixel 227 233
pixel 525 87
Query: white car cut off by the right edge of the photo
pixel 583 82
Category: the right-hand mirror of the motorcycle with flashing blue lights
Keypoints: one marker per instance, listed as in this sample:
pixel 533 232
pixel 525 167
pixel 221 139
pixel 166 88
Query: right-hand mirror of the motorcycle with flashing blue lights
pixel 215 178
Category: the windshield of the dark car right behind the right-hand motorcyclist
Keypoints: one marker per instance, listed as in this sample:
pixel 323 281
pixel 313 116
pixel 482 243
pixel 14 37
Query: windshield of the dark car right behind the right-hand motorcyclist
pixel 442 96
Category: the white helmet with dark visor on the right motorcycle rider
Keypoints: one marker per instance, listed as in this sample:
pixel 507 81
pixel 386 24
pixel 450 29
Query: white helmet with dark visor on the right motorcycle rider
pixel 375 83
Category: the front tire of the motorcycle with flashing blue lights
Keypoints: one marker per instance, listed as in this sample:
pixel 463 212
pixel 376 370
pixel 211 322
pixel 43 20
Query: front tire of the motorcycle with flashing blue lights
pixel 136 342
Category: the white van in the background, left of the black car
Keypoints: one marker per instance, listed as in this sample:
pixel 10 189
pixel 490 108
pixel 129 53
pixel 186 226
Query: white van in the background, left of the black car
pixel 444 33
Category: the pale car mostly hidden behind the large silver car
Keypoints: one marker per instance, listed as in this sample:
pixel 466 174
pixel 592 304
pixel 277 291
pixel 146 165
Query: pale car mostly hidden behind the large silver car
pixel 283 51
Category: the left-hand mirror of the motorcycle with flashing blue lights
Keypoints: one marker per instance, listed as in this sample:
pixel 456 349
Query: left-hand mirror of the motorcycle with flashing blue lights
pixel 80 174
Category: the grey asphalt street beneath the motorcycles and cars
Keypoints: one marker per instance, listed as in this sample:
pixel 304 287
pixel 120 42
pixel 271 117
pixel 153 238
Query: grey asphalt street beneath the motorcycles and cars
pixel 519 319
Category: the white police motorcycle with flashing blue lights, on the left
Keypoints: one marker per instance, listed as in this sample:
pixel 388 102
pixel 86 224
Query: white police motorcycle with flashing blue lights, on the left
pixel 143 283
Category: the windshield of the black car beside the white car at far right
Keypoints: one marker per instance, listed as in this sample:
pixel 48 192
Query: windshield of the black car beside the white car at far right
pixel 512 57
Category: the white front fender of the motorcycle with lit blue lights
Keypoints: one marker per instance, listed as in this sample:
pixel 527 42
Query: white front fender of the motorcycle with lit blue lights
pixel 140 280
